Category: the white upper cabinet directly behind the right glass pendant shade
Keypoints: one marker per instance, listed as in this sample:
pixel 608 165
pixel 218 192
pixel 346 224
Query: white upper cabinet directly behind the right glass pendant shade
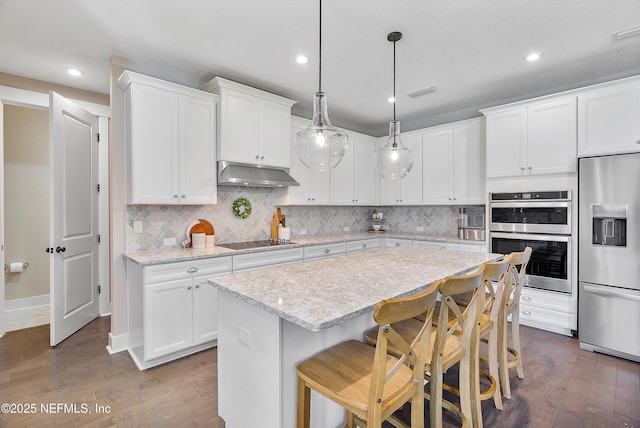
pixel 408 190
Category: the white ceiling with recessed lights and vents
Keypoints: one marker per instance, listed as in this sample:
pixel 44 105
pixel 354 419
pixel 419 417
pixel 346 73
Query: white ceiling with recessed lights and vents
pixel 471 50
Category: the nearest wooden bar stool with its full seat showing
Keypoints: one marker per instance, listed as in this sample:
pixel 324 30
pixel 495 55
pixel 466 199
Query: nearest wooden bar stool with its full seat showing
pixel 368 382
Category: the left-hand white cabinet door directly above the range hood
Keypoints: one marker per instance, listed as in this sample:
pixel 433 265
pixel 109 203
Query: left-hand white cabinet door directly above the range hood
pixel 239 127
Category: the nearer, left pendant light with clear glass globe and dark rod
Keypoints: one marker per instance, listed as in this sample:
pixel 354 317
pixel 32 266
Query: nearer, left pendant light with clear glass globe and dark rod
pixel 320 146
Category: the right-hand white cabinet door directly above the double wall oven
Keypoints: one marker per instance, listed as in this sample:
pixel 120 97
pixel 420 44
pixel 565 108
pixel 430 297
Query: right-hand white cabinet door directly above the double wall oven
pixel 551 140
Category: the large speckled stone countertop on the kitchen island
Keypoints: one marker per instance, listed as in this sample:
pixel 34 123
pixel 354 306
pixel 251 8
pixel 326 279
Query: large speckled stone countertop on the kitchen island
pixel 320 294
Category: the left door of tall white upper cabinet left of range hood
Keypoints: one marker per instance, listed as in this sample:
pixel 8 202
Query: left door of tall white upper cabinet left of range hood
pixel 153 146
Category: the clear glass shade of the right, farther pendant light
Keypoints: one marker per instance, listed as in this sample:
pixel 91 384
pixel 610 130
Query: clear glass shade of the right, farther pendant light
pixel 393 160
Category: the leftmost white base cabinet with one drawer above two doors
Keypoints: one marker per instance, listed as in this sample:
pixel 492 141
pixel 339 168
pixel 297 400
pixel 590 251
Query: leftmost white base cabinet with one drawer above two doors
pixel 173 310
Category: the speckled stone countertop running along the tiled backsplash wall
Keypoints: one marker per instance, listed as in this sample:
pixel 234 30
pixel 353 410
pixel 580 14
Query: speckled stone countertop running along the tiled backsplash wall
pixel 151 257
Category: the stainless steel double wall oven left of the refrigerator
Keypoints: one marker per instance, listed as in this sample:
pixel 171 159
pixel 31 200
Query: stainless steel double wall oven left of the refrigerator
pixel 542 221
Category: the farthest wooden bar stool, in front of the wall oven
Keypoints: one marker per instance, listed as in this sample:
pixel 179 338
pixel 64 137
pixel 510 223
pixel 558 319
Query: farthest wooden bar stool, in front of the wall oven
pixel 511 306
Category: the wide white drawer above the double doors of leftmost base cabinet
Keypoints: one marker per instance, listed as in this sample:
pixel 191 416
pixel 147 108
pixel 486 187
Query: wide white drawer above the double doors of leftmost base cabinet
pixel 180 270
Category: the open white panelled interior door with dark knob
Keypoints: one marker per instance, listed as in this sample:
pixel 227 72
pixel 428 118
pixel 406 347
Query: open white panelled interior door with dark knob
pixel 74 217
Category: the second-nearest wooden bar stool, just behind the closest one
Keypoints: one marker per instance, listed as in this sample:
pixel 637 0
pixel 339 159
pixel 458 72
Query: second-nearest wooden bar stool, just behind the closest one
pixel 449 348
